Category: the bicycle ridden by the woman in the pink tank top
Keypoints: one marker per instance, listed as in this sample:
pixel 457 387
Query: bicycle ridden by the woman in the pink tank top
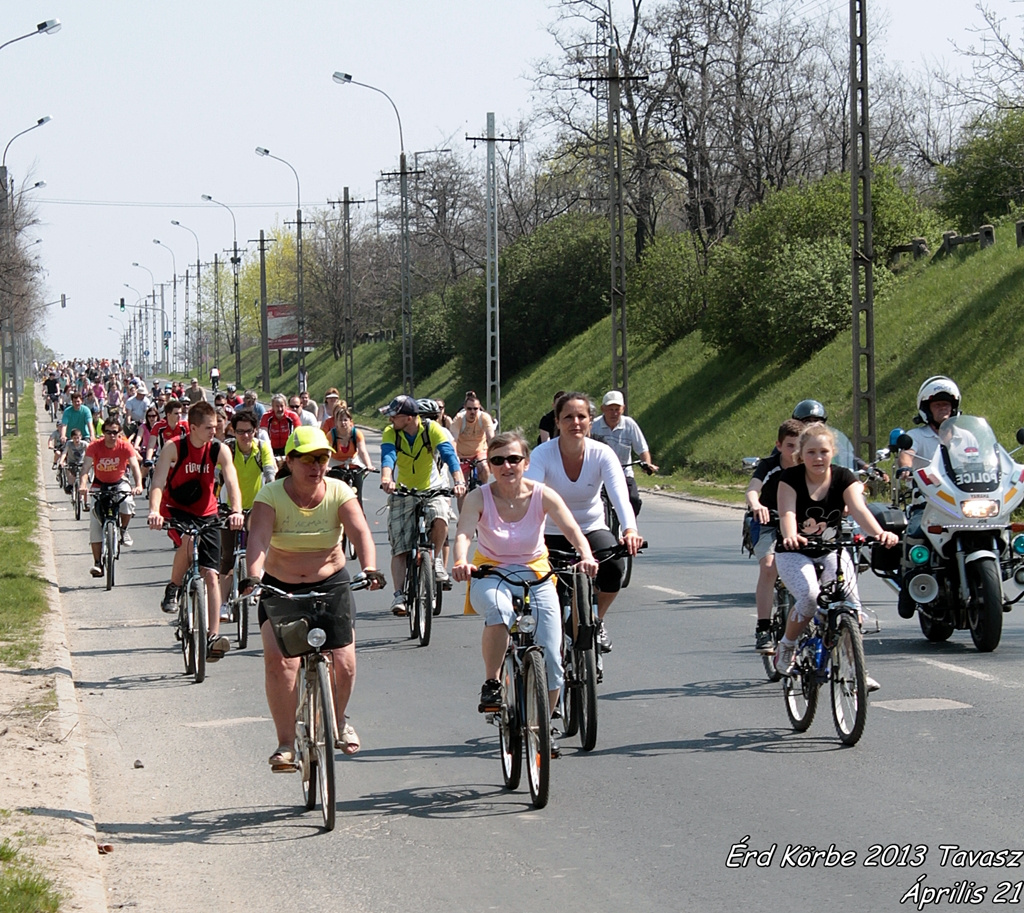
pixel 525 695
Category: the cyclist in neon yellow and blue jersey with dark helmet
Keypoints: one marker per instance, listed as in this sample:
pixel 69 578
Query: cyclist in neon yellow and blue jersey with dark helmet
pixel 408 448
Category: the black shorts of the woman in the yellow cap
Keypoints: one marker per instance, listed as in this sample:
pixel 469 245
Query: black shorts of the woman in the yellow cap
pixel 335 615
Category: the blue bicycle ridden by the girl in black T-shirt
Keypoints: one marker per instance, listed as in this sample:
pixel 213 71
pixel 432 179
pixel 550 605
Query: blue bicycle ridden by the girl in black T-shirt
pixel 832 650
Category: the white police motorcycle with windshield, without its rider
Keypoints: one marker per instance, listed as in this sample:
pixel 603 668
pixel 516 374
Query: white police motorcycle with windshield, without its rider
pixel 952 572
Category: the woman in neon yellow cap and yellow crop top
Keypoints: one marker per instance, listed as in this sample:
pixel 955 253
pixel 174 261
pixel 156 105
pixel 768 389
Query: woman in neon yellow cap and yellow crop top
pixel 295 545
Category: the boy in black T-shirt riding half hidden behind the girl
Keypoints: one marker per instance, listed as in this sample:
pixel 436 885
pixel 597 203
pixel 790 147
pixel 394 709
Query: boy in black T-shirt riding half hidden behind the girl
pixel 761 501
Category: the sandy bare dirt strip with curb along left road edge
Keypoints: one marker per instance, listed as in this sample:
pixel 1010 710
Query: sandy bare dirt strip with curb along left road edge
pixel 44 751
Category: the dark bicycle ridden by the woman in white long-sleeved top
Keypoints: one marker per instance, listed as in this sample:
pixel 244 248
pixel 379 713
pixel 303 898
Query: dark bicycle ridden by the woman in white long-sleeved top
pixel 582 664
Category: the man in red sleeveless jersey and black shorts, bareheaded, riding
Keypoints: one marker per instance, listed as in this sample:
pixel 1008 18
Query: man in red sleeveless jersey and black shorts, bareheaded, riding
pixel 183 490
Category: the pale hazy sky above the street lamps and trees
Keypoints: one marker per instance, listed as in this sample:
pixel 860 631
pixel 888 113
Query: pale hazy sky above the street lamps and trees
pixel 156 104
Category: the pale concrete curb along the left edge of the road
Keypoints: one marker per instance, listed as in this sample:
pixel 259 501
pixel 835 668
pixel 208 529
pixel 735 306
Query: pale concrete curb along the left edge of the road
pixel 91 893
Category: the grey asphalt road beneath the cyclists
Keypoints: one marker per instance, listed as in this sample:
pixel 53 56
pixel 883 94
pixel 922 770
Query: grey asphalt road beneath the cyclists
pixel 695 757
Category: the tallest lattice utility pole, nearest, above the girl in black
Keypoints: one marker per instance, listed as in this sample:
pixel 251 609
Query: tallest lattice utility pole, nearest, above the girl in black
pixel 863 244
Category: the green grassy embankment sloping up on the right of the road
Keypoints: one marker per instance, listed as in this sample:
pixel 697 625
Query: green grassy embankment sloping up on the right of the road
pixel 704 412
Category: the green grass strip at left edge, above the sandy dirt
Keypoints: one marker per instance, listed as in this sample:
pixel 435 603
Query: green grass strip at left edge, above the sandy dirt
pixel 23 592
